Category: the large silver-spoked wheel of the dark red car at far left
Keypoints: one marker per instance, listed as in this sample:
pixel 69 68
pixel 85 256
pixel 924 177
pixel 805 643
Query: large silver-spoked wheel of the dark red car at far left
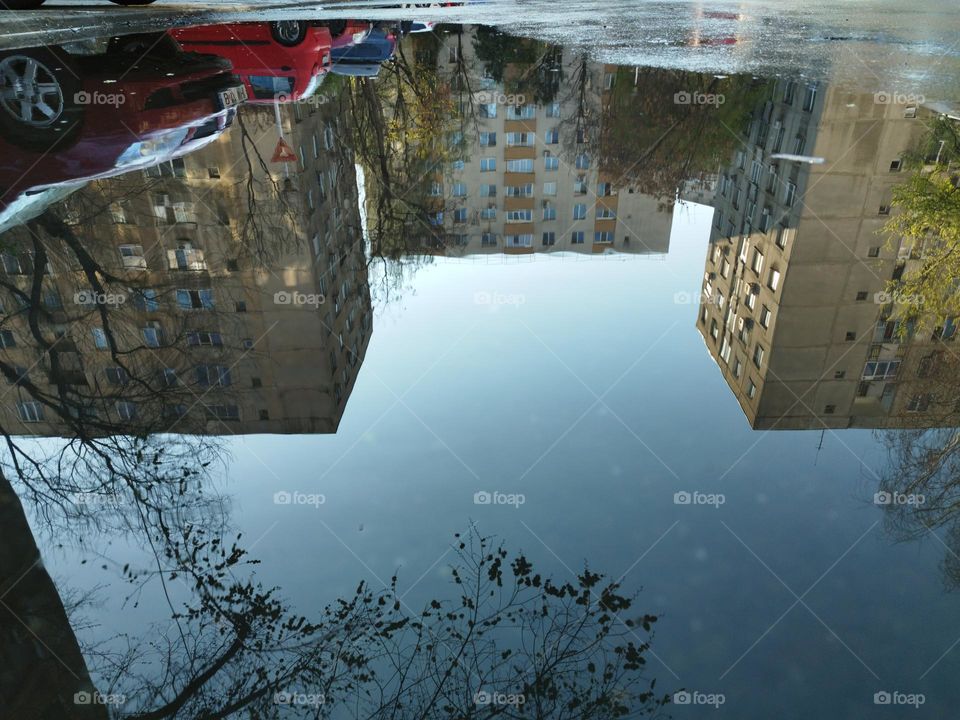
pixel 41 103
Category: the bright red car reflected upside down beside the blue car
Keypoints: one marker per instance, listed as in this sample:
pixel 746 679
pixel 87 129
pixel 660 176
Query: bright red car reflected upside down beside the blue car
pixel 281 61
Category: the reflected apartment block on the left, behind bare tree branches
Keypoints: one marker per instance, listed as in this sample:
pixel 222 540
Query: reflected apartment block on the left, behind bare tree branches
pixel 250 275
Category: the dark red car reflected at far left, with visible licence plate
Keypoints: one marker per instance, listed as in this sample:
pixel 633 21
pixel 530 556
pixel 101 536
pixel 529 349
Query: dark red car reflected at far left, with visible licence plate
pixel 65 120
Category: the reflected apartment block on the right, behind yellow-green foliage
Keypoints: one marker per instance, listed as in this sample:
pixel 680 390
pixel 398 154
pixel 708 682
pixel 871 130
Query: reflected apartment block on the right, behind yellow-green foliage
pixel 793 305
